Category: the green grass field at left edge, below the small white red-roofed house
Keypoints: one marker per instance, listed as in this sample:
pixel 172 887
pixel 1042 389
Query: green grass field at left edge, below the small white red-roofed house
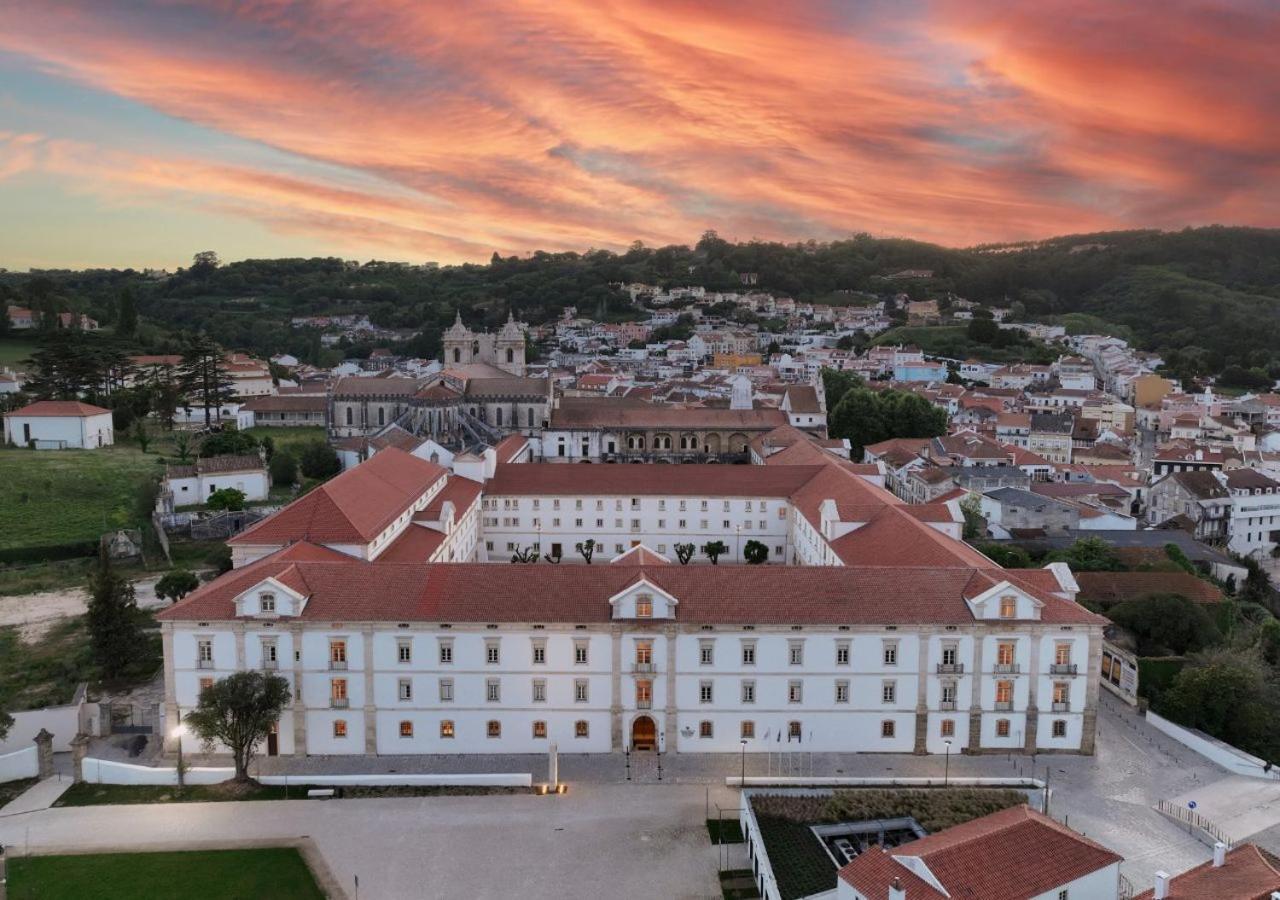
pixel 67 497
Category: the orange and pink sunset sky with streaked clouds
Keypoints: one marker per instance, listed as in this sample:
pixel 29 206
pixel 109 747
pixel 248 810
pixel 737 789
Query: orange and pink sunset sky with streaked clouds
pixel 136 134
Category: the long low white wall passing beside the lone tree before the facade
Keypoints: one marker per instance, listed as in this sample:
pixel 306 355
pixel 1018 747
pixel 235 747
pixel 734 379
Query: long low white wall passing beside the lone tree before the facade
pixel 107 773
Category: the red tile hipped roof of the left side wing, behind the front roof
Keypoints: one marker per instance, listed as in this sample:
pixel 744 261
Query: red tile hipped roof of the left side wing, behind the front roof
pixel 354 508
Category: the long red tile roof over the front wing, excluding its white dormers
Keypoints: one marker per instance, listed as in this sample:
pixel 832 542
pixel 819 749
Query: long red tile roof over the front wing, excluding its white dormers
pixel 358 591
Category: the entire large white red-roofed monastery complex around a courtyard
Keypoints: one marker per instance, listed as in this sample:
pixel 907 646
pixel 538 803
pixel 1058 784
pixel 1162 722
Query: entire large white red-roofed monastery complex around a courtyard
pixel 388 600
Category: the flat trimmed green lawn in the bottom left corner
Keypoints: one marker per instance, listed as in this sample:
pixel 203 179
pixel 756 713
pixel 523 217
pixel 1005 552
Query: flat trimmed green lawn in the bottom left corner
pixel 280 874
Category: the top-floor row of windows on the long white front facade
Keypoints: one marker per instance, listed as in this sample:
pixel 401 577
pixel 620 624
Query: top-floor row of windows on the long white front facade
pixel 1007 651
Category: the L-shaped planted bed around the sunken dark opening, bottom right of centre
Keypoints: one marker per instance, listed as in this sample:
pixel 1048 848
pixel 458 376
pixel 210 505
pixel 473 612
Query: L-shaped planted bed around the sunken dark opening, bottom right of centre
pixel 801 864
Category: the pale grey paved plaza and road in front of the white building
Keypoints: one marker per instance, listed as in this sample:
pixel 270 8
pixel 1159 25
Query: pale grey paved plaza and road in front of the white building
pixel 646 839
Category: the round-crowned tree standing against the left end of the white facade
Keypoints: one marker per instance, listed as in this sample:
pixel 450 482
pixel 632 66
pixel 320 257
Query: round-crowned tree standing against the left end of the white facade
pixel 240 712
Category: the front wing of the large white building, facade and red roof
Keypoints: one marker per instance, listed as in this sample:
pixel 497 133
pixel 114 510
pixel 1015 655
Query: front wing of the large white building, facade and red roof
pixel 643 654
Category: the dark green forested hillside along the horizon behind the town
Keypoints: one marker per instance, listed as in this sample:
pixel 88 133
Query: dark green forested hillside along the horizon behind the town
pixel 1208 299
